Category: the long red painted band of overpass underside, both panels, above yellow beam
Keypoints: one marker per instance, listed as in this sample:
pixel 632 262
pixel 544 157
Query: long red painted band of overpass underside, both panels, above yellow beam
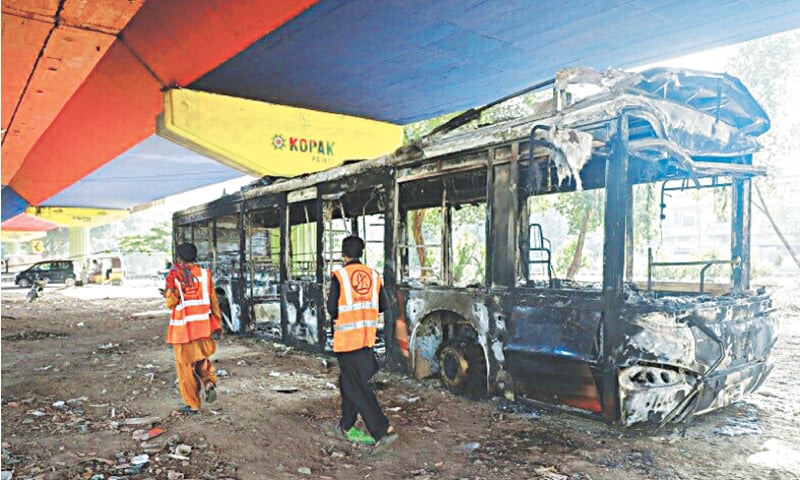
pixel 115 108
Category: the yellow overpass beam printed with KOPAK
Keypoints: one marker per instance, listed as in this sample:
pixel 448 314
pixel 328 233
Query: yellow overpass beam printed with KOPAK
pixel 260 138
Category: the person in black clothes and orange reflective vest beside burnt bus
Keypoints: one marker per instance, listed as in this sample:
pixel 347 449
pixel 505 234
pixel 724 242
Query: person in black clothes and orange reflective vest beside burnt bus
pixel 355 301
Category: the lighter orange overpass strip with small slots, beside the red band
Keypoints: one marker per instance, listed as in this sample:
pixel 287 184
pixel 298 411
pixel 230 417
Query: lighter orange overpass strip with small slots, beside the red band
pixel 68 58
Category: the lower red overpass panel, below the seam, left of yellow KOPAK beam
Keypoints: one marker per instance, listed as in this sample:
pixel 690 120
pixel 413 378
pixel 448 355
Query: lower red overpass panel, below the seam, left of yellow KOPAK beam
pixel 112 111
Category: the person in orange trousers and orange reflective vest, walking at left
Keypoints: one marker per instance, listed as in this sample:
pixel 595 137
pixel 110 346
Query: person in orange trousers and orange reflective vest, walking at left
pixel 195 316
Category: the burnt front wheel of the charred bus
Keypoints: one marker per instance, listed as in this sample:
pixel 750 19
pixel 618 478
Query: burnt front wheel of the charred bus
pixel 462 367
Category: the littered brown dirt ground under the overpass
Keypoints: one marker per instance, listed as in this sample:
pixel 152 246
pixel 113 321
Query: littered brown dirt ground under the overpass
pixel 100 351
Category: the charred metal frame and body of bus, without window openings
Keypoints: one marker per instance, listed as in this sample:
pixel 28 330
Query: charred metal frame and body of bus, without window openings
pixel 614 353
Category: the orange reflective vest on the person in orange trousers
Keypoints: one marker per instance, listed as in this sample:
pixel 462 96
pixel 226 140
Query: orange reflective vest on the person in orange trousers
pixel 191 318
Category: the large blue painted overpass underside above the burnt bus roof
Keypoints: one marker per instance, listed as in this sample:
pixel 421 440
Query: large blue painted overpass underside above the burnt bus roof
pixel 407 60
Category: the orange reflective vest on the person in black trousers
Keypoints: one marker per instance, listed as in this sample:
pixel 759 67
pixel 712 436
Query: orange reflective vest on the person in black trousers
pixel 356 325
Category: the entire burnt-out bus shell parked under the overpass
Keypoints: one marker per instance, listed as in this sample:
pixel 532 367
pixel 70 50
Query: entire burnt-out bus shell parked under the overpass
pixel 476 270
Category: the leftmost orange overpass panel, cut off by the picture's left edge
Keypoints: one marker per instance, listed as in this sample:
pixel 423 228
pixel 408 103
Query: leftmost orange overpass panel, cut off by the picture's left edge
pixel 22 41
